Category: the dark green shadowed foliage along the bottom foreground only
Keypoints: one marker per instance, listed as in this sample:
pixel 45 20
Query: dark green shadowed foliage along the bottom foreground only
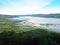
pixel 35 37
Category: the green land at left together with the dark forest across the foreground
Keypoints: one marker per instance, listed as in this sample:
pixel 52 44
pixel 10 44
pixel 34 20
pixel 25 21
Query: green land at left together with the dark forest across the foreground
pixel 13 35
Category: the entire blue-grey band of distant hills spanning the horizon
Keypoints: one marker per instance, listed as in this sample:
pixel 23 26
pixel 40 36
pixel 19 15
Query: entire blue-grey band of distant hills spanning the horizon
pixel 34 15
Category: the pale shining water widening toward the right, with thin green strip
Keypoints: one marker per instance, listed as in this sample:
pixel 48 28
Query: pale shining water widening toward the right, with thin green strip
pixel 48 23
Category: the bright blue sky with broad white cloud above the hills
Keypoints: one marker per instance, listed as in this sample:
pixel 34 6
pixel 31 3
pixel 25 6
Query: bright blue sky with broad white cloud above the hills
pixel 21 7
